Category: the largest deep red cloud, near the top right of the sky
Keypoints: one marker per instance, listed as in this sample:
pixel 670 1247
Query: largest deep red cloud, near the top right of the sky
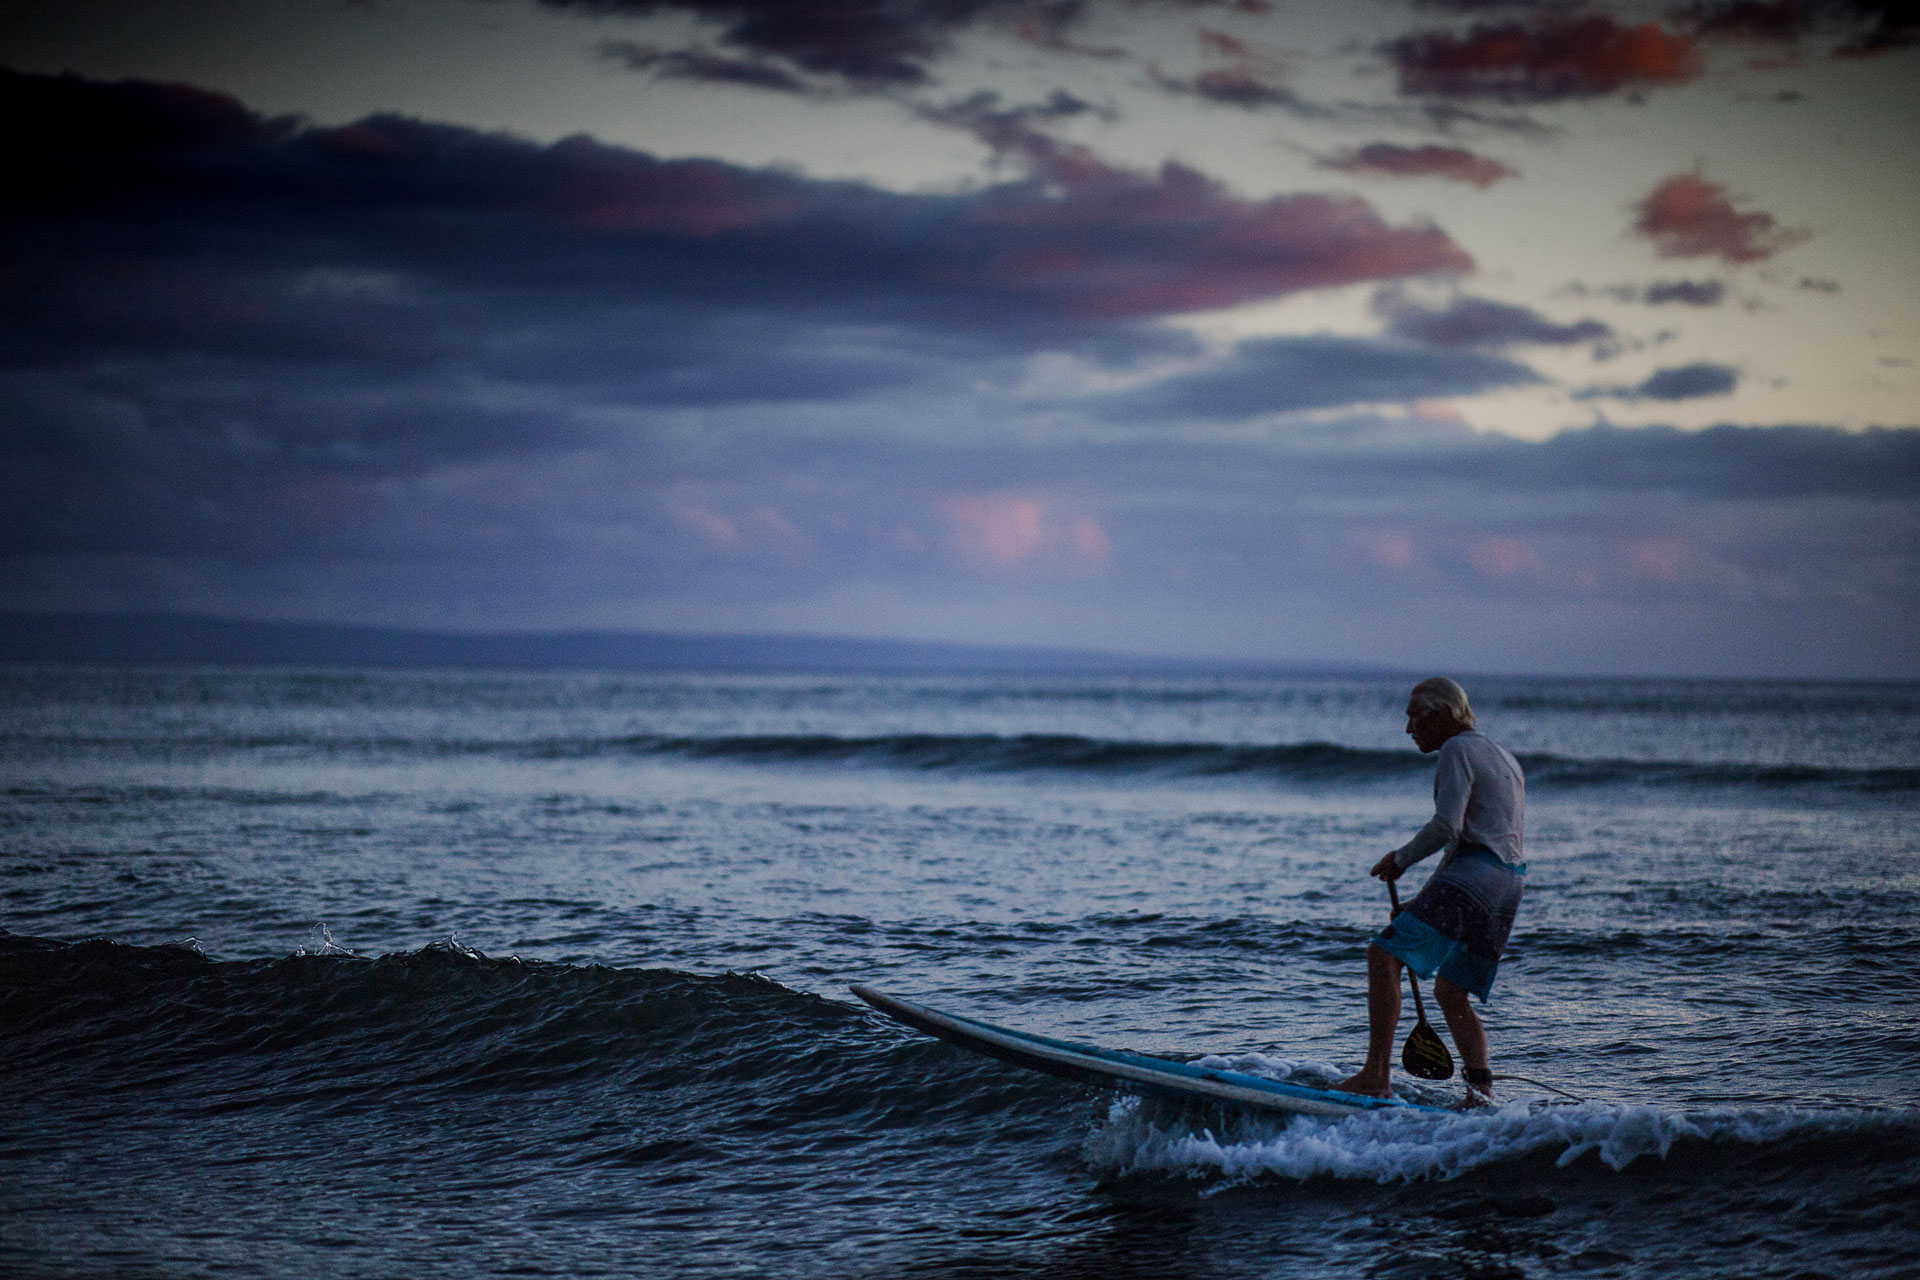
pixel 1547 62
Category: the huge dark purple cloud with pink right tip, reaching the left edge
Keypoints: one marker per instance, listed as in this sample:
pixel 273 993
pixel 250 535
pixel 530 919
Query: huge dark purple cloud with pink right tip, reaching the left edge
pixel 1074 239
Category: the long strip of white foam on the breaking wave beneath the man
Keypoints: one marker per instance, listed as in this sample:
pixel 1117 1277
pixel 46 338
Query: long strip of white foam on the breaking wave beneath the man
pixel 1404 1147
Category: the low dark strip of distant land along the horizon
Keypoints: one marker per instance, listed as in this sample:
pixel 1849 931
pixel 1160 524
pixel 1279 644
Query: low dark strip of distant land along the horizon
pixel 235 642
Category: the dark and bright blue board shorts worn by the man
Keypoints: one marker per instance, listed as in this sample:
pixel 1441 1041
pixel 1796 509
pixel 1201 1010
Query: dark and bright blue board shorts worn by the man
pixel 1460 922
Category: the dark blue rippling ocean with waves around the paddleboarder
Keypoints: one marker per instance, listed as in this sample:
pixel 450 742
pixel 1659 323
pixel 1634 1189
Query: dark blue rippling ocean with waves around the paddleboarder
pixel 544 974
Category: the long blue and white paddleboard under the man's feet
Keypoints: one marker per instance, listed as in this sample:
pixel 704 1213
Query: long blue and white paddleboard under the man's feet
pixel 1120 1070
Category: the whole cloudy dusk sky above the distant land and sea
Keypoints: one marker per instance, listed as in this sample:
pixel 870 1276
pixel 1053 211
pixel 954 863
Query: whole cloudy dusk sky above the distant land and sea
pixel 1443 335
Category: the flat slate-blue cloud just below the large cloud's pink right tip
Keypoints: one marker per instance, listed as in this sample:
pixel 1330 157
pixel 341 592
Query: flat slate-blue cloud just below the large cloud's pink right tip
pixel 1284 375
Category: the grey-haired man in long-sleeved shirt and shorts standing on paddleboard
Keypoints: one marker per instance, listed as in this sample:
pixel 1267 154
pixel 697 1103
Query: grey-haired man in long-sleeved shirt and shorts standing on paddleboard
pixel 1460 920
